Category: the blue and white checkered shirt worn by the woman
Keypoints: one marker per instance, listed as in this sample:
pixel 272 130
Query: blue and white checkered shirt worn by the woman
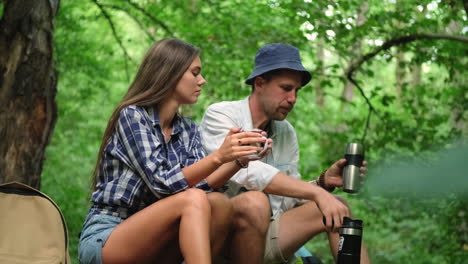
pixel 138 147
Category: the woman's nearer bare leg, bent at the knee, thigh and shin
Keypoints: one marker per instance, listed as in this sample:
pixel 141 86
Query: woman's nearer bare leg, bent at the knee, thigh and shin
pixel 144 236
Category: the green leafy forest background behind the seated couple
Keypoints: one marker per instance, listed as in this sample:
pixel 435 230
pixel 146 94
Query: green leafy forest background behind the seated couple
pixel 391 74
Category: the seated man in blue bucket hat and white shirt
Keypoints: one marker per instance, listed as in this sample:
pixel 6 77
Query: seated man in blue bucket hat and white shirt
pixel 270 229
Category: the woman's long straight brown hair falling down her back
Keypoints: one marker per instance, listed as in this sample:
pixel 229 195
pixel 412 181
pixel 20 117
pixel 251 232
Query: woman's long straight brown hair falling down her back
pixel 163 66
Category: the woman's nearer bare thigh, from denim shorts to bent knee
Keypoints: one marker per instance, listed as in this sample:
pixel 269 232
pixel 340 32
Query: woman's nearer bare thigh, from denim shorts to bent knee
pixel 151 231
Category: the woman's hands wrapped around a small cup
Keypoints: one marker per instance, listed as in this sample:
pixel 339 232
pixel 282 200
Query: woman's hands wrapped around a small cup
pixel 238 144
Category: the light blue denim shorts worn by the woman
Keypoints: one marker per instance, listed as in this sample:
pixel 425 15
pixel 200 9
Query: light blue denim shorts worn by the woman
pixel 96 230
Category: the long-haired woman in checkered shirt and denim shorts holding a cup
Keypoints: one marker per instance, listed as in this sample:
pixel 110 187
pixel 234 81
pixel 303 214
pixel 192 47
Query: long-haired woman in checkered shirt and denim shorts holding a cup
pixel 146 138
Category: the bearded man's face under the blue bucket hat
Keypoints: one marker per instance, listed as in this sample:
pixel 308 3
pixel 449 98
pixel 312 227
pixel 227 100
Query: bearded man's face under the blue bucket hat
pixel 278 96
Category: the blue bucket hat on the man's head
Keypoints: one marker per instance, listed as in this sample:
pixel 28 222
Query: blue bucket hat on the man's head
pixel 278 56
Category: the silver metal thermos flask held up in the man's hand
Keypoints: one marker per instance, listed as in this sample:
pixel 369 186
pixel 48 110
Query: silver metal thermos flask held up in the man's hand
pixel 354 155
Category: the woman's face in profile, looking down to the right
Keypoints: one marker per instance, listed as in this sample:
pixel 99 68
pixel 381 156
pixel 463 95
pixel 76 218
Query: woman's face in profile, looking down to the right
pixel 189 87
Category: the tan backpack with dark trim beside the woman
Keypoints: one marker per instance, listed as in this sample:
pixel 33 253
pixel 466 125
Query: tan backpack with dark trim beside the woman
pixel 32 227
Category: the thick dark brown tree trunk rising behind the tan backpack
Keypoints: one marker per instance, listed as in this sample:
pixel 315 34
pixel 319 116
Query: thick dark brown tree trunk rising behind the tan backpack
pixel 28 83
